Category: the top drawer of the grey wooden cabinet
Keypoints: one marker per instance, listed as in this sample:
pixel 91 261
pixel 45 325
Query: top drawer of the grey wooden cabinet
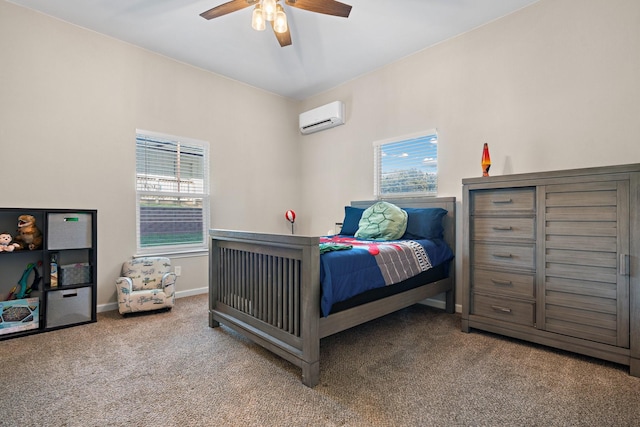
pixel 503 201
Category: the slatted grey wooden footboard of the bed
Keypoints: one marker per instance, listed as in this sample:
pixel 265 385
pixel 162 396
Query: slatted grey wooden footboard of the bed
pixel 267 287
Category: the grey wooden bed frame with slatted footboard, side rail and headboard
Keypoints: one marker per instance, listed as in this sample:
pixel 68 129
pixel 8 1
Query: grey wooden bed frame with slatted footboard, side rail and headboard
pixel 267 287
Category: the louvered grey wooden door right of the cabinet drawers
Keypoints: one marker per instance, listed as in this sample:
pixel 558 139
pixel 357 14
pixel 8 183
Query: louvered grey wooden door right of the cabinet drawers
pixel 585 273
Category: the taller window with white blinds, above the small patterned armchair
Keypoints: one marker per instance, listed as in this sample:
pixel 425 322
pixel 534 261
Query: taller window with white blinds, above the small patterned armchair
pixel 172 190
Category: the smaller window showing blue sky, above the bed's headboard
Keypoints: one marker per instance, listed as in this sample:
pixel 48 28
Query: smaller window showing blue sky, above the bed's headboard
pixel 406 166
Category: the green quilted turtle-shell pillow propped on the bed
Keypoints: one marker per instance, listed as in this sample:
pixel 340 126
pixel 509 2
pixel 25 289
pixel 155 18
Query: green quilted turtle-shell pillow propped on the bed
pixel 382 221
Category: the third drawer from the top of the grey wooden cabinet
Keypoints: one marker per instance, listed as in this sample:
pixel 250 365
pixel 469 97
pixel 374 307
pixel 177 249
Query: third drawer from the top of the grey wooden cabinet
pixel 504 256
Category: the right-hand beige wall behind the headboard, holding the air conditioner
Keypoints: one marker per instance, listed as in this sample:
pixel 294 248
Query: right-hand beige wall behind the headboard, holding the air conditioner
pixel 553 86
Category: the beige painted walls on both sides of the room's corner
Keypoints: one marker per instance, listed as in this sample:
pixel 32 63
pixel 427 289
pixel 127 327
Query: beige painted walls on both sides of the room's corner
pixel 552 86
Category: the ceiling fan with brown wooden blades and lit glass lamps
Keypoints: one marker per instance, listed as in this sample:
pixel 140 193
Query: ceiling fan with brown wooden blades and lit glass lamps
pixel 272 11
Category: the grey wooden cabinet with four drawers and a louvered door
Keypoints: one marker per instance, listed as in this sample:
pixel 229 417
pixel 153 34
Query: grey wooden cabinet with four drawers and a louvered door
pixel 553 258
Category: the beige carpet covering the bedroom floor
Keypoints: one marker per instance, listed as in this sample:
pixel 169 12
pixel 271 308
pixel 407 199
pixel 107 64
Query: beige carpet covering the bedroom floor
pixel 411 368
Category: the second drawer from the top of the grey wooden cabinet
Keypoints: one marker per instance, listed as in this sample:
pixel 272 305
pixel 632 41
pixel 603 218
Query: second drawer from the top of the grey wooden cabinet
pixel 491 228
